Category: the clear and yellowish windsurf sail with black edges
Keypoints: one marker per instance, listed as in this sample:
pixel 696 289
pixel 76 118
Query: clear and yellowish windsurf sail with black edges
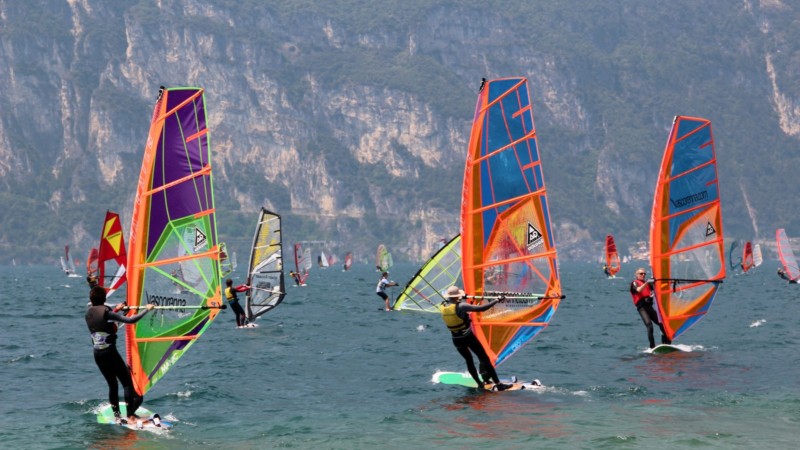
pixel 265 269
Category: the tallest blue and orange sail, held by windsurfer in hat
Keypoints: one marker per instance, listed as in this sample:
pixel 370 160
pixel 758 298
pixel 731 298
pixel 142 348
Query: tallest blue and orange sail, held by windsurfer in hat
pixel 507 243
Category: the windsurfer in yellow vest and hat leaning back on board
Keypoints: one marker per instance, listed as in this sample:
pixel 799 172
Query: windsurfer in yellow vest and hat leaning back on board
pixel 455 314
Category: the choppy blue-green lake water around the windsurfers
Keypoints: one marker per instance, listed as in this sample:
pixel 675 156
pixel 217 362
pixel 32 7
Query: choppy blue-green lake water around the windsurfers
pixel 329 369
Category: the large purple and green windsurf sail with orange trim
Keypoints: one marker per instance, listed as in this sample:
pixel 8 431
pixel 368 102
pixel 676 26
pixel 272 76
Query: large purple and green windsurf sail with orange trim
pixel 173 230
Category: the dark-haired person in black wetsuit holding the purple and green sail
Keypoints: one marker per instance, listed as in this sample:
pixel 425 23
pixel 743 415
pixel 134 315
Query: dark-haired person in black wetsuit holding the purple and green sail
pixel 100 320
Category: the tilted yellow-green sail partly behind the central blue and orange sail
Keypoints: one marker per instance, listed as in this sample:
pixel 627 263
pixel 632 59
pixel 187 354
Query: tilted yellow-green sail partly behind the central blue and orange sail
pixel 425 291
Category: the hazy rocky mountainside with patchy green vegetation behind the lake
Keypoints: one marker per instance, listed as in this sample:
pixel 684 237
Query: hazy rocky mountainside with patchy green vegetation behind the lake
pixel 351 117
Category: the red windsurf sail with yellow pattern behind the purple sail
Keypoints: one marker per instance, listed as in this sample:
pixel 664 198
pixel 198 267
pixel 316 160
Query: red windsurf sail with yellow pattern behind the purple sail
pixel 112 256
